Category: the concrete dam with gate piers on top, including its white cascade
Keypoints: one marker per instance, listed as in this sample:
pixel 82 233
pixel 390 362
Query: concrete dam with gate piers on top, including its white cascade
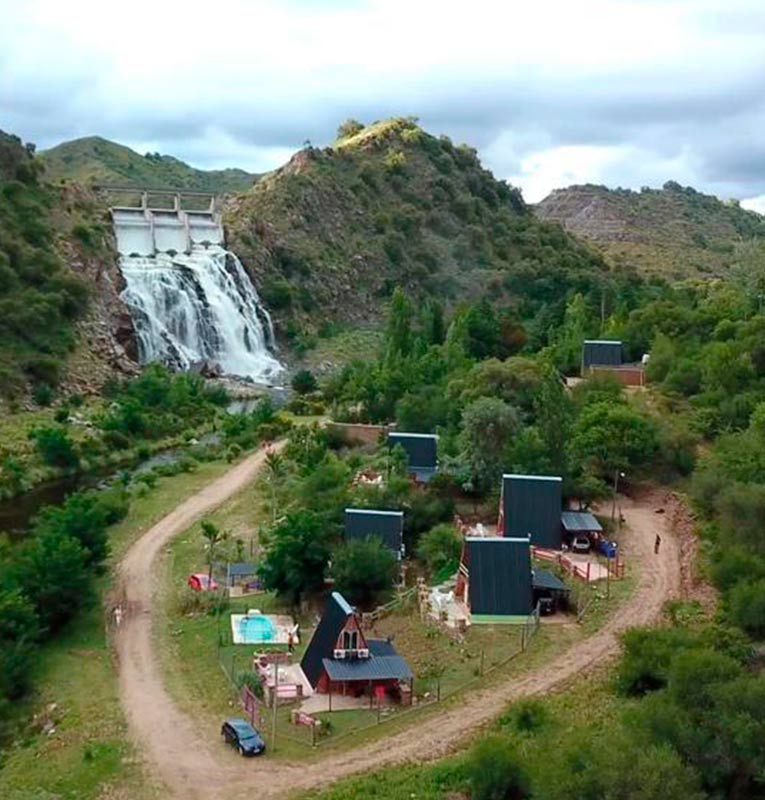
pixel 191 300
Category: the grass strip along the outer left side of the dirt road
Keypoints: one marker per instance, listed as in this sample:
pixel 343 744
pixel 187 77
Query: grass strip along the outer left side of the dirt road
pixel 88 755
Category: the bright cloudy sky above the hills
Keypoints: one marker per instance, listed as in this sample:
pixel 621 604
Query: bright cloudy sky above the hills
pixel 551 92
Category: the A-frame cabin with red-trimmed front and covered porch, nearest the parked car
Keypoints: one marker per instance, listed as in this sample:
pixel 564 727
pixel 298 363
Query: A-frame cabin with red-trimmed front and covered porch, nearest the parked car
pixel 341 660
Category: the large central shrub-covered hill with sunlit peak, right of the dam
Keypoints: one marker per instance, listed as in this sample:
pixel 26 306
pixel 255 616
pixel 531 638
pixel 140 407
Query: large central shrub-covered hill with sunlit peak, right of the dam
pixel 329 235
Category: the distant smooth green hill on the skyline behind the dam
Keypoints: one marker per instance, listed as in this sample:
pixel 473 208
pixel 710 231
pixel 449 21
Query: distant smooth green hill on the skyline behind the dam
pixel 94 160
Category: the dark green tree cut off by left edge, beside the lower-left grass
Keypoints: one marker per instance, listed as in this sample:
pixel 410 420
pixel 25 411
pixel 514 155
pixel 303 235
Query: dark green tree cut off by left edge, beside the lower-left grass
pixel 19 629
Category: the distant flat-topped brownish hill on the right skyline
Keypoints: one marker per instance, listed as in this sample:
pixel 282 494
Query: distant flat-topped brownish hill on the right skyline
pixel 674 231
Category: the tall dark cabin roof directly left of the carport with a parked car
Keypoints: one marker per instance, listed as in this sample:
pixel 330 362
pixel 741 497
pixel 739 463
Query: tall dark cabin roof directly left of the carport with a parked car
pixel 530 505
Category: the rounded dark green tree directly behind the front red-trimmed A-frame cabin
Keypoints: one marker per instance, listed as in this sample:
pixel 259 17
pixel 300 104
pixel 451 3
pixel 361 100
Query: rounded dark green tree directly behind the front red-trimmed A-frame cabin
pixel 364 569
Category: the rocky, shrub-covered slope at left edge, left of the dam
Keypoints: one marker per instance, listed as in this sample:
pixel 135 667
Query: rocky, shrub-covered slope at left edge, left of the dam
pixel 55 247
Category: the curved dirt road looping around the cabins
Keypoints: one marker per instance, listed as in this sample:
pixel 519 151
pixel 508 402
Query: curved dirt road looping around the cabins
pixel 191 762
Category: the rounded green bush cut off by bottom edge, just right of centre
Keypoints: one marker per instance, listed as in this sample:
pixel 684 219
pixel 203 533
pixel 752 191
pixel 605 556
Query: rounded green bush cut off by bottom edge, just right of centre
pixel 494 771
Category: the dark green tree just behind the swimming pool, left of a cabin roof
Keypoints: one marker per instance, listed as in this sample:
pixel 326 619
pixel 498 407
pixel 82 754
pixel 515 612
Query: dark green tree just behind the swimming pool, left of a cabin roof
pixel 297 553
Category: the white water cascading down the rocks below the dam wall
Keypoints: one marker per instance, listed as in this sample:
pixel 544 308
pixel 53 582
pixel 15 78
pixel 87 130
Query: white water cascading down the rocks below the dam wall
pixel 199 307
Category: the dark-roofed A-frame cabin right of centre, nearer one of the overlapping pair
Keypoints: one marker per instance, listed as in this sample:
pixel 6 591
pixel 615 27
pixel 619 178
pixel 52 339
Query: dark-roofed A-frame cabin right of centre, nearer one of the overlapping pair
pixel 495 579
